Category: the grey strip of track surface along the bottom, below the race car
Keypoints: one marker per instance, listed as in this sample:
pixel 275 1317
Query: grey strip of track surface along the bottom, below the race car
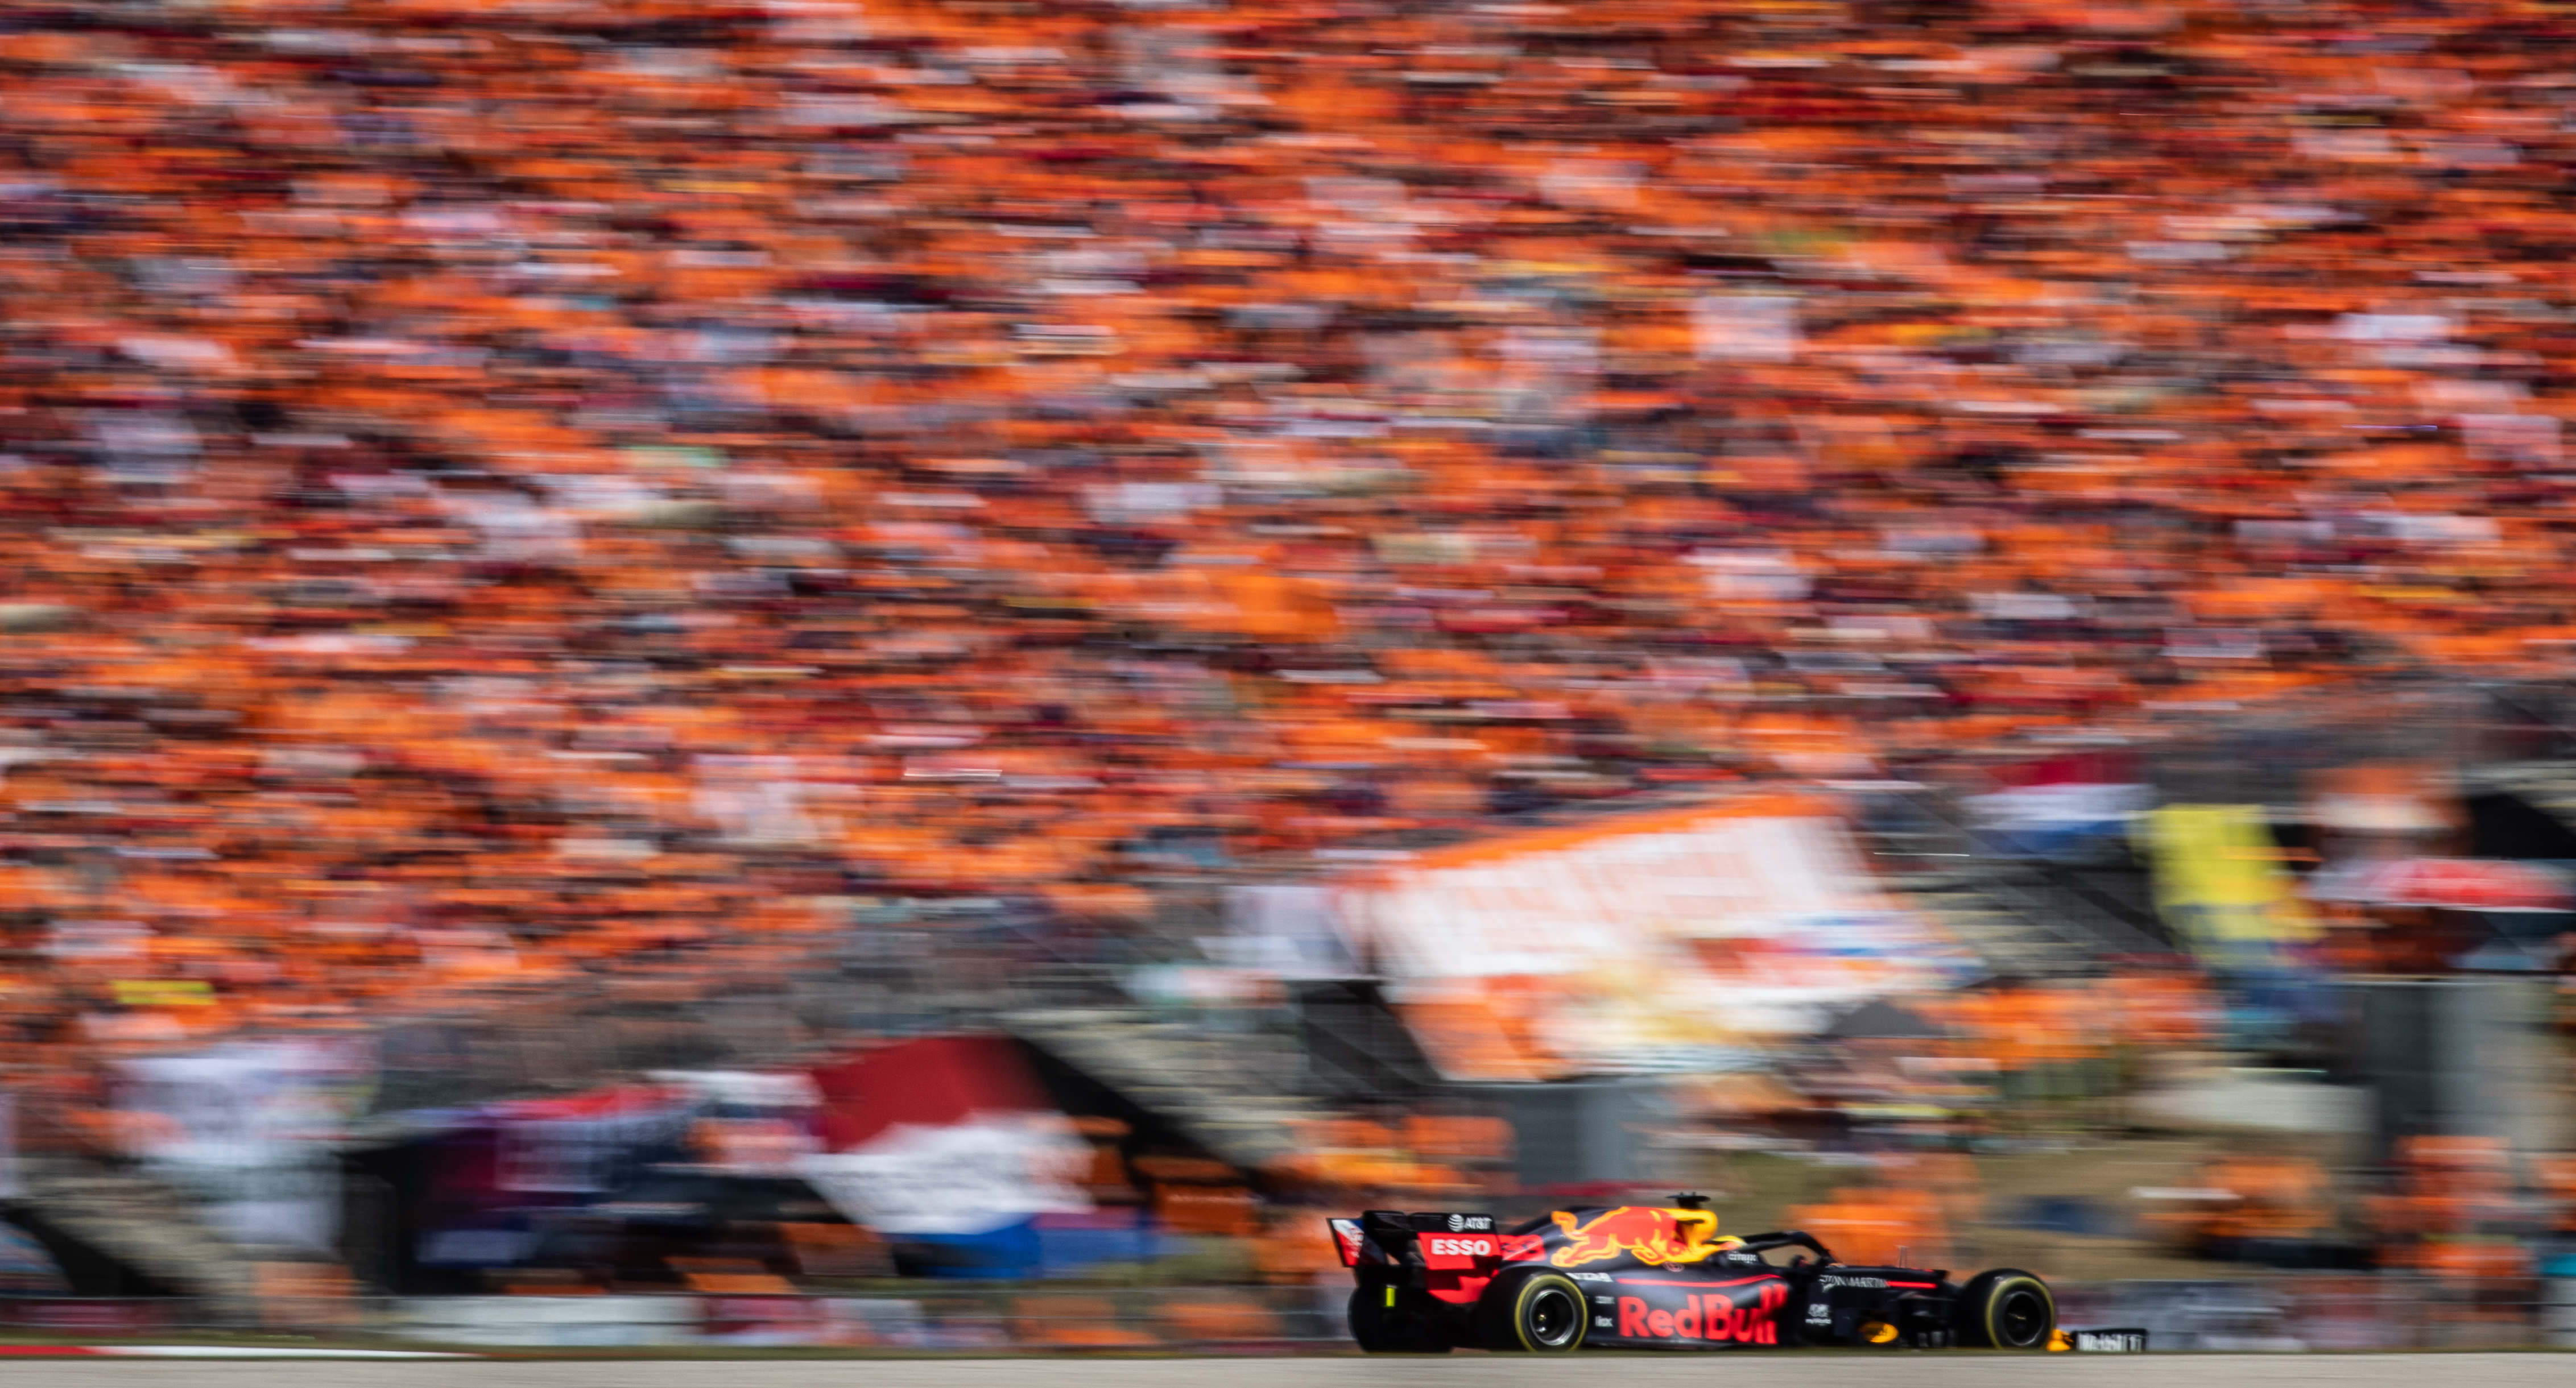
pixel 1629 1371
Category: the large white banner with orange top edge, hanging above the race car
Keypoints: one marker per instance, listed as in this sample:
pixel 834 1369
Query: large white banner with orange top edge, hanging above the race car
pixel 1647 944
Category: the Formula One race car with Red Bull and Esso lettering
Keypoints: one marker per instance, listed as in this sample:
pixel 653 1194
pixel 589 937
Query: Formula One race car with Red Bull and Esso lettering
pixel 1660 1279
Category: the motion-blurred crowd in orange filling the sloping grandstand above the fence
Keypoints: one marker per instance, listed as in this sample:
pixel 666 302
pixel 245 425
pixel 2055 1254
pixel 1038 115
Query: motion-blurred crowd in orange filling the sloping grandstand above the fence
pixel 545 488
